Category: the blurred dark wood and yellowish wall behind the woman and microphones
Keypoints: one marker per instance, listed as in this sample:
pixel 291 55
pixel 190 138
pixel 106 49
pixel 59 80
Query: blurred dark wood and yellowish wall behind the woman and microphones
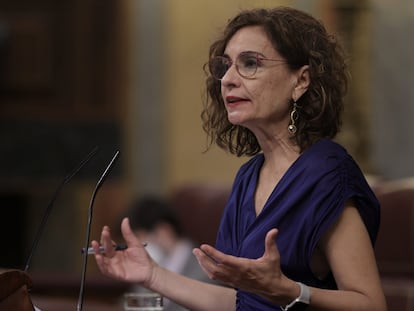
pixel 127 75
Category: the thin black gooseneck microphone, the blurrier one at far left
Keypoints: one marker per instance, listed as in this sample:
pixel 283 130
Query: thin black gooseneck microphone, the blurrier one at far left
pixel 52 201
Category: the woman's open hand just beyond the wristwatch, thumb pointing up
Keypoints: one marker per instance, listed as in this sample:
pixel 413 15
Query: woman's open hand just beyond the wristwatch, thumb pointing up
pixel 261 276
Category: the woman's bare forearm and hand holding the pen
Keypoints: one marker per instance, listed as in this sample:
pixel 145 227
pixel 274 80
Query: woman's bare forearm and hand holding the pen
pixel 136 266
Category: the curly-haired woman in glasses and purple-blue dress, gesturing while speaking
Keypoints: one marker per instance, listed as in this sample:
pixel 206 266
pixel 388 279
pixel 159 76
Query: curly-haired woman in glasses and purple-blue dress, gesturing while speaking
pixel 298 229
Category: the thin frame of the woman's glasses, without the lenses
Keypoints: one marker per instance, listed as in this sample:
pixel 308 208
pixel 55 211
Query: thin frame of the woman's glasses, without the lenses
pixel 226 60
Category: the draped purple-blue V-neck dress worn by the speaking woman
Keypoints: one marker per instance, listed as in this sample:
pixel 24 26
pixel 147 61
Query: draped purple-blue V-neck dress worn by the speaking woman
pixel 308 199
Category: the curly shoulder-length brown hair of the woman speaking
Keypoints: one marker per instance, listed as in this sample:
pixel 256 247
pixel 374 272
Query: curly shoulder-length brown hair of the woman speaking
pixel 301 40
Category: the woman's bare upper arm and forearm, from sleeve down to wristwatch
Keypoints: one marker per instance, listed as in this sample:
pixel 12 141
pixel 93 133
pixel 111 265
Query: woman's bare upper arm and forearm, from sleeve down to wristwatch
pixel 348 250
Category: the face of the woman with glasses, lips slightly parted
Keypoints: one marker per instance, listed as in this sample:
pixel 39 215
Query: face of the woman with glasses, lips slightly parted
pixel 260 102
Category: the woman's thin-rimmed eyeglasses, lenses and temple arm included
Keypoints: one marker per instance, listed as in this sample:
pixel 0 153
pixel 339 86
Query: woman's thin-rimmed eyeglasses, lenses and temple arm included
pixel 246 64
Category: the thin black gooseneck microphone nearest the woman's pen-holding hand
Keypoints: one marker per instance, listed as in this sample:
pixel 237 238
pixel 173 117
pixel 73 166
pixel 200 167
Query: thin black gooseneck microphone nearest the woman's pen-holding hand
pixel 88 228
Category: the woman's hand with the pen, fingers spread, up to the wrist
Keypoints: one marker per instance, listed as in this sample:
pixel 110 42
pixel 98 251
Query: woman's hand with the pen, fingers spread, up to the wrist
pixel 131 265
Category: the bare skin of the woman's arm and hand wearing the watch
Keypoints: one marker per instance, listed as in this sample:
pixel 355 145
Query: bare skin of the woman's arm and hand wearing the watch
pixel 348 252
